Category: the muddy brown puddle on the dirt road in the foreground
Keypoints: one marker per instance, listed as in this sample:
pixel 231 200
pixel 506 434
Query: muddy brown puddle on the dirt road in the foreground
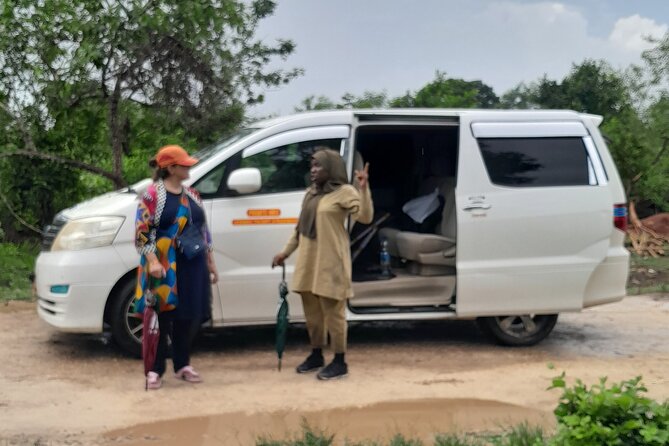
pixel 412 418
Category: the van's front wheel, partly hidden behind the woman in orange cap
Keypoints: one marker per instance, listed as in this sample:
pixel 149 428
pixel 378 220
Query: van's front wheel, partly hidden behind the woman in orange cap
pixel 126 327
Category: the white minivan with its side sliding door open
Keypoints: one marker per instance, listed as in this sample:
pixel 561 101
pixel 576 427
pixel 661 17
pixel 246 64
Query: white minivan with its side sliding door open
pixel 528 222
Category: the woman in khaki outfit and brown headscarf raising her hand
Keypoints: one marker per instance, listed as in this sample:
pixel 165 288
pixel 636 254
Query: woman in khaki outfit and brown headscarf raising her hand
pixel 323 268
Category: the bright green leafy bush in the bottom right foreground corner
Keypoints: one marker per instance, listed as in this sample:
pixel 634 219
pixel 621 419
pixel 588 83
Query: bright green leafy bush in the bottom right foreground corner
pixel 615 415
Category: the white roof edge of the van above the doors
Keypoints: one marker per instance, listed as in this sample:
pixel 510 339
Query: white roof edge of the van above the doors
pixel 346 116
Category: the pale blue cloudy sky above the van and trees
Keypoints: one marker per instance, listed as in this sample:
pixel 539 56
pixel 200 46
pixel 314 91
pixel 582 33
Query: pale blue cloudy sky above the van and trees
pixel 350 46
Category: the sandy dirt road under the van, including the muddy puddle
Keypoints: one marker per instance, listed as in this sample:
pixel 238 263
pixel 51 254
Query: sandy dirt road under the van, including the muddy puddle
pixel 415 378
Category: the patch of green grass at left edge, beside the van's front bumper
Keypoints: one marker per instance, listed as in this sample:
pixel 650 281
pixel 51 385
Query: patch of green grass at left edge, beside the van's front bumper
pixel 17 261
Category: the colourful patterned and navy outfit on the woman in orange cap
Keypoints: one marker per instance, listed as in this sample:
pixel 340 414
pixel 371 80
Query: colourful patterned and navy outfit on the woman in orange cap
pixel 161 216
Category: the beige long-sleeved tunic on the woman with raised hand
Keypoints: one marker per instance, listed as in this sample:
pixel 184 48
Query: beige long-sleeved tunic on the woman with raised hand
pixel 323 265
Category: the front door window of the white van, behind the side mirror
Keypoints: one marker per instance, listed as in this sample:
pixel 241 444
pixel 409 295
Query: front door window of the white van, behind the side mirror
pixel 286 168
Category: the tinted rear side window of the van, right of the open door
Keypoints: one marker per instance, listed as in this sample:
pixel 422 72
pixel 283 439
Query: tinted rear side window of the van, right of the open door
pixel 536 162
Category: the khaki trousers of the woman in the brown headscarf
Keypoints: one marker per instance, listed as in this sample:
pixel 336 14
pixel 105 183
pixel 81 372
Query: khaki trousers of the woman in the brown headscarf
pixel 325 315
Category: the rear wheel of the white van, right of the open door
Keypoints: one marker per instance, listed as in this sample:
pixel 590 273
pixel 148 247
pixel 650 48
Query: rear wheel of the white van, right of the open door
pixel 522 330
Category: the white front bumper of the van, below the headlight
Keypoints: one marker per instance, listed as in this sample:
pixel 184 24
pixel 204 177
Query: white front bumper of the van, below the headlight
pixel 73 286
